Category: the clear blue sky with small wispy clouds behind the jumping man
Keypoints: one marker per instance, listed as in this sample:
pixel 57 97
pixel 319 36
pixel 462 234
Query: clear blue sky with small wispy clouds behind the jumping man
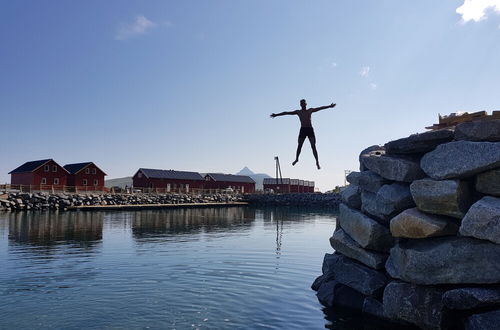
pixel 190 85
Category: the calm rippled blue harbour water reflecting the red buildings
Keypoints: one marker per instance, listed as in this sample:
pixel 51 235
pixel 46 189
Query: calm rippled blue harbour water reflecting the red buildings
pixel 220 268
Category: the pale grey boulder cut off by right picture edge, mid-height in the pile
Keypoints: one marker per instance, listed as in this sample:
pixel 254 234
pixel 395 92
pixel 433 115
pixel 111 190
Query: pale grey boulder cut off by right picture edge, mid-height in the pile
pixel 483 220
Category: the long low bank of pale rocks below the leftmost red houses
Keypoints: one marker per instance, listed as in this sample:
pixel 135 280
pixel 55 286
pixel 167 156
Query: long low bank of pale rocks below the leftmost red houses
pixel 46 201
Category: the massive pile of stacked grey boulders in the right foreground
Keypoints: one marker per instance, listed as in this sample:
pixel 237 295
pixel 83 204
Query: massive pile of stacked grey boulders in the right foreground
pixel 418 233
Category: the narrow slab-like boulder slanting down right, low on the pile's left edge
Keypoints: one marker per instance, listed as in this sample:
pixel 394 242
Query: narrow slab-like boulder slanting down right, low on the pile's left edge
pixel 342 243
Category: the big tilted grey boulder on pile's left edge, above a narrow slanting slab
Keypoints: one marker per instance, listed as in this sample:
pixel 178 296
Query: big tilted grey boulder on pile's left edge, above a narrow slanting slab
pixel 365 231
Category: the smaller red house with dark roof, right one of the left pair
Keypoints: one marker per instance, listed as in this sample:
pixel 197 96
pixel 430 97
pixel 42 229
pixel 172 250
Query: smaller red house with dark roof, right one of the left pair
pixel 85 175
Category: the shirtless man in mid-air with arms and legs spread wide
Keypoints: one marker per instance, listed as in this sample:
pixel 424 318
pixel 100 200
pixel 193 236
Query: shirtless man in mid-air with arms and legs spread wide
pixel 306 129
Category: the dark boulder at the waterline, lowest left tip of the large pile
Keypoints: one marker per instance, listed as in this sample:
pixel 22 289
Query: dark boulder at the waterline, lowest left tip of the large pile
pixel 333 293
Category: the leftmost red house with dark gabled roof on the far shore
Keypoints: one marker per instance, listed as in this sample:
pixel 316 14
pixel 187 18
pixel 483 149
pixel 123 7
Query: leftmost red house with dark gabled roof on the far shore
pixel 39 172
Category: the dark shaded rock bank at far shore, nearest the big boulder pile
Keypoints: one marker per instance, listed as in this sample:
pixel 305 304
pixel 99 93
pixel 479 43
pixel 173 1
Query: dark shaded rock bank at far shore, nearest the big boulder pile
pixel 330 200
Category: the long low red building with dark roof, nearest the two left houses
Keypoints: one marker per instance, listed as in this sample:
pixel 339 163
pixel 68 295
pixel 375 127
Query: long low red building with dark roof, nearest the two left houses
pixel 167 180
